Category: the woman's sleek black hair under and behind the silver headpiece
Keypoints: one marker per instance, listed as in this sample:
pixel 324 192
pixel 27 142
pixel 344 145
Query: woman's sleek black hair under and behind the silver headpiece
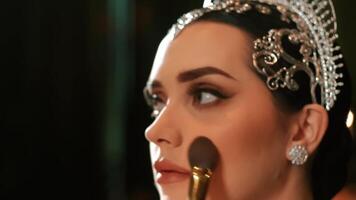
pixel 329 165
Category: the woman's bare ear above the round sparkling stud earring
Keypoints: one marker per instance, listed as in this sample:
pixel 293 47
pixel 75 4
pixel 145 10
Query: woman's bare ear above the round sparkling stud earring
pixel 309 127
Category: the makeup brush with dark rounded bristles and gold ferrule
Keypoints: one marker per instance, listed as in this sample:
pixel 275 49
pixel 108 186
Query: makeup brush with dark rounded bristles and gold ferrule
pixel 203 158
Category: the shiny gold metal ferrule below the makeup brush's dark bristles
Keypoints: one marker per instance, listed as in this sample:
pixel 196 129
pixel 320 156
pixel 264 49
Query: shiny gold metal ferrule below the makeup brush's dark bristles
pixel 199 183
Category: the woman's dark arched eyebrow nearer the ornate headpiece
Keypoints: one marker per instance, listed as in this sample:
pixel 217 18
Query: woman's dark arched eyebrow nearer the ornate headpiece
pixel 202 71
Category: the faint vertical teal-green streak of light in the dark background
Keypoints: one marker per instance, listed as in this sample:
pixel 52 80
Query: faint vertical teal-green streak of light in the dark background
pixel 120 75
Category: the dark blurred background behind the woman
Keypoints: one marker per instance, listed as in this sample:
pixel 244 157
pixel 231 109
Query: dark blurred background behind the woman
pixel 72 114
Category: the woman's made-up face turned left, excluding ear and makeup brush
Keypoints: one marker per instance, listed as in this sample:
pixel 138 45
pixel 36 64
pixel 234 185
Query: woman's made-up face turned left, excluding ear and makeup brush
pixel 202 84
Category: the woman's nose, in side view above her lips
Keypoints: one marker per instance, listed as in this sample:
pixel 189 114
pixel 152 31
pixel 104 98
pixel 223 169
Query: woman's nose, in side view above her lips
pixel 166 129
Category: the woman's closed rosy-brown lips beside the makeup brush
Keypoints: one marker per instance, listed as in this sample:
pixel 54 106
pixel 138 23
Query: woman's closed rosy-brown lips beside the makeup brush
pixel 168 172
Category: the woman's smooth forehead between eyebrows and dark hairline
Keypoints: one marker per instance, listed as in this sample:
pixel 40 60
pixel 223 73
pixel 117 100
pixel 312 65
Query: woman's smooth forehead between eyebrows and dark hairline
pixel 200 44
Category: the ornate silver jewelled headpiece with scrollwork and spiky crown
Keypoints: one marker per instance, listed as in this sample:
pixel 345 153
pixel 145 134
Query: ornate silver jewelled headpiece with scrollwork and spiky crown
pixel 316 34
